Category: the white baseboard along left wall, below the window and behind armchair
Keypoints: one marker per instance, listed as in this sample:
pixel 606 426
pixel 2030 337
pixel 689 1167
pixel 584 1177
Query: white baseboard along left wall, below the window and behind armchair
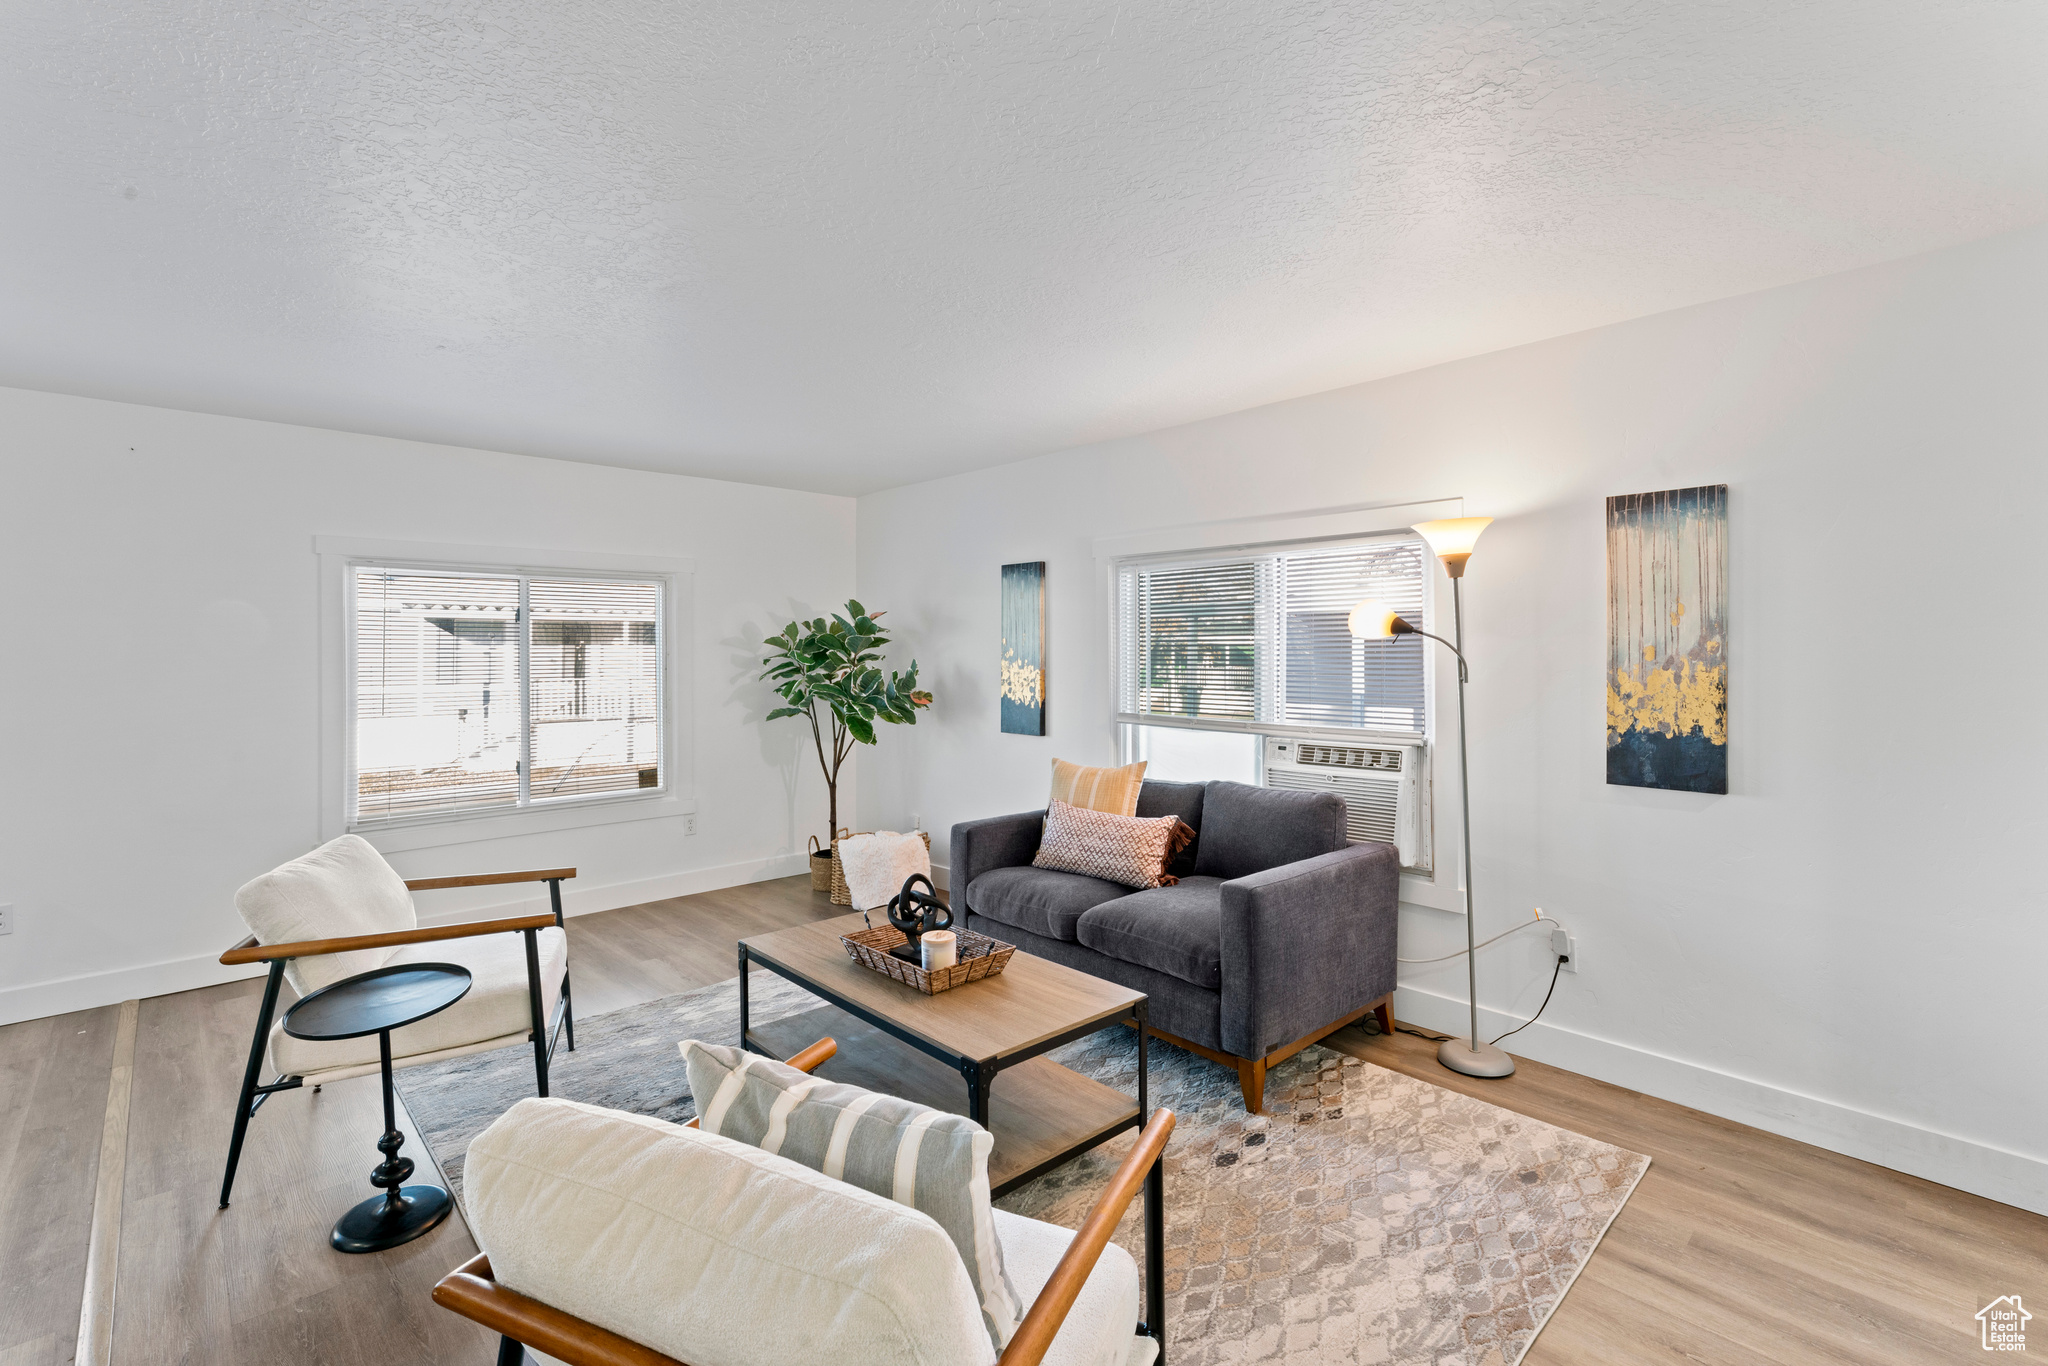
pixel 124 984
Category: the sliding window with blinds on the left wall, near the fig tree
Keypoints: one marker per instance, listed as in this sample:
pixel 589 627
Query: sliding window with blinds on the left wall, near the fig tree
pixel 480 693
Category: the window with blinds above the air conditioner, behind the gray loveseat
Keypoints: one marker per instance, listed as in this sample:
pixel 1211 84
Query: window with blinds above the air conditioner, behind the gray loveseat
pixel 1265 640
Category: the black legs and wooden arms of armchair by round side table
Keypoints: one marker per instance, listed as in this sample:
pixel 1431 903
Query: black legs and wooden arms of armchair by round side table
pixel 544 1033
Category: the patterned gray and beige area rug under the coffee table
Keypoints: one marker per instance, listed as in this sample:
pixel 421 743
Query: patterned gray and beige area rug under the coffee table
pixel 1367 1218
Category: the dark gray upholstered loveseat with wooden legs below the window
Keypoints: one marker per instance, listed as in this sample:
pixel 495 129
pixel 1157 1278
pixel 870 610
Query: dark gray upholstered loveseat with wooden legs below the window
pixel 1279 931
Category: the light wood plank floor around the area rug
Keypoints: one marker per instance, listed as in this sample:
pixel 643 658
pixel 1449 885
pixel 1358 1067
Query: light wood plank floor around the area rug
pixel 1740 1248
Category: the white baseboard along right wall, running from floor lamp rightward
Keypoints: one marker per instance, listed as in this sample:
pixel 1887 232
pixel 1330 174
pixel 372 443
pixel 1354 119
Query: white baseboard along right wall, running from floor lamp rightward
pixel 1902 1146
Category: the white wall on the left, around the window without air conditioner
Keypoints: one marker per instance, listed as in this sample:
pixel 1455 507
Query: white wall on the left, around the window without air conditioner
pixel 161 687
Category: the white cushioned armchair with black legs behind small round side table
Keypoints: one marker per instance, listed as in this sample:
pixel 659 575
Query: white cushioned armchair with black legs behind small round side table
pixel 343 910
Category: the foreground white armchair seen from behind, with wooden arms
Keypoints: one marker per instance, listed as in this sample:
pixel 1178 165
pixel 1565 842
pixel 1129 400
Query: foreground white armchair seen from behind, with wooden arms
pixel 695 1250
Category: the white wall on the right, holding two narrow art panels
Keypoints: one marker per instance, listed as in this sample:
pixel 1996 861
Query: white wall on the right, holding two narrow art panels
pixel 1848 947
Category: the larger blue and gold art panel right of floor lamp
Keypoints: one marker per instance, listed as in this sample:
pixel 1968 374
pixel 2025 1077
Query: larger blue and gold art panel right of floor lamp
pixel 1668 640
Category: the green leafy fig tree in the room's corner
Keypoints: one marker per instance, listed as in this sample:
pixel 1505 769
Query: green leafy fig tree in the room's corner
pixel 839 665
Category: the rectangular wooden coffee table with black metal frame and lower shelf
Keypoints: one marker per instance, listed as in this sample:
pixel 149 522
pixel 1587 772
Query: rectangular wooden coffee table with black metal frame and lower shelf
pixel 947 1050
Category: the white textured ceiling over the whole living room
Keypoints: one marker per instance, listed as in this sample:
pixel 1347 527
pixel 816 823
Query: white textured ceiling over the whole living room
pixel 853 245
